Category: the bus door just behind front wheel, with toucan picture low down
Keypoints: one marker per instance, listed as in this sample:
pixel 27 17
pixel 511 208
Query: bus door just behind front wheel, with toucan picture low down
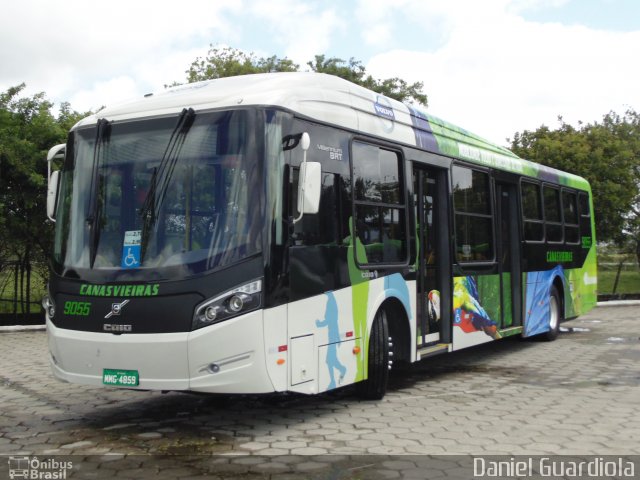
pixel 433 317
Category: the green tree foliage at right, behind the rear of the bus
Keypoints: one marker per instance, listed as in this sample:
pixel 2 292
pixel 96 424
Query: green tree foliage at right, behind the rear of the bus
pixel 607 154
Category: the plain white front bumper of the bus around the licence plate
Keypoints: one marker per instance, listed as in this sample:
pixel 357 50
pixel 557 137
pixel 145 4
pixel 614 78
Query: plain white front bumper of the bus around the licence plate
pixel 227 357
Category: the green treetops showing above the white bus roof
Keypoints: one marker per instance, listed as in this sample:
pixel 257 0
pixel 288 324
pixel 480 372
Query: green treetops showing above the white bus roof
pixel 228 62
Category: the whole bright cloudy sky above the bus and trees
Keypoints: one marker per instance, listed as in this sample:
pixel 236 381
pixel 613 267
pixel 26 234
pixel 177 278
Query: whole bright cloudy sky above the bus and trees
pixel 494 67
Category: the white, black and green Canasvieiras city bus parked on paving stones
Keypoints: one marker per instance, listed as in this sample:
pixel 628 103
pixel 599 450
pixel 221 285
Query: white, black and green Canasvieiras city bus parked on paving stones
pixel 294 232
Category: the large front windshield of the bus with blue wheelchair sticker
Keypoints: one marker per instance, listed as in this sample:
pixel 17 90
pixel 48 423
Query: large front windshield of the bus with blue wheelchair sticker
pixel 163 198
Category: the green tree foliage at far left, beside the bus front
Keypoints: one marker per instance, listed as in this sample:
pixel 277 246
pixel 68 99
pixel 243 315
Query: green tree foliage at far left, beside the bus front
pixel 27 130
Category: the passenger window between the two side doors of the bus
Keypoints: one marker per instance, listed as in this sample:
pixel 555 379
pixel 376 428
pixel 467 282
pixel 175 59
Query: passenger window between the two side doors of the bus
pixel 473 215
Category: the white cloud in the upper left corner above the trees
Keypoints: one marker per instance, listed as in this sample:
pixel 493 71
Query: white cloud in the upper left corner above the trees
pixel 72 49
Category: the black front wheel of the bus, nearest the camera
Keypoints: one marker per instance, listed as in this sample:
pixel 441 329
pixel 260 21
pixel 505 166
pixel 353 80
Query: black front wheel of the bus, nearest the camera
pixel 375 386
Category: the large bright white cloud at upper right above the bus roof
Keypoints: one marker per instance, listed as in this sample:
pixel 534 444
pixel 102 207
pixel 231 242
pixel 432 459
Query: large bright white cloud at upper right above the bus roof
pixel 498 74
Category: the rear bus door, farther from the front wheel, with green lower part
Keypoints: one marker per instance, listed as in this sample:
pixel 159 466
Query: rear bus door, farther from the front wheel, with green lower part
pixel 508 253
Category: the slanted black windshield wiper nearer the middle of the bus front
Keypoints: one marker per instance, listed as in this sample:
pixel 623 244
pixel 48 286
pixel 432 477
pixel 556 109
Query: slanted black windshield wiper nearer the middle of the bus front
pixel 162 174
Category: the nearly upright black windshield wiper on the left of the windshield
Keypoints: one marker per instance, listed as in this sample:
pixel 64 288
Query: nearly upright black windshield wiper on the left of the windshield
pixel 103 133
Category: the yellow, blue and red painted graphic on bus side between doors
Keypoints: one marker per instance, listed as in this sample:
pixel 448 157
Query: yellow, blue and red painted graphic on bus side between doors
pixel 469 315
